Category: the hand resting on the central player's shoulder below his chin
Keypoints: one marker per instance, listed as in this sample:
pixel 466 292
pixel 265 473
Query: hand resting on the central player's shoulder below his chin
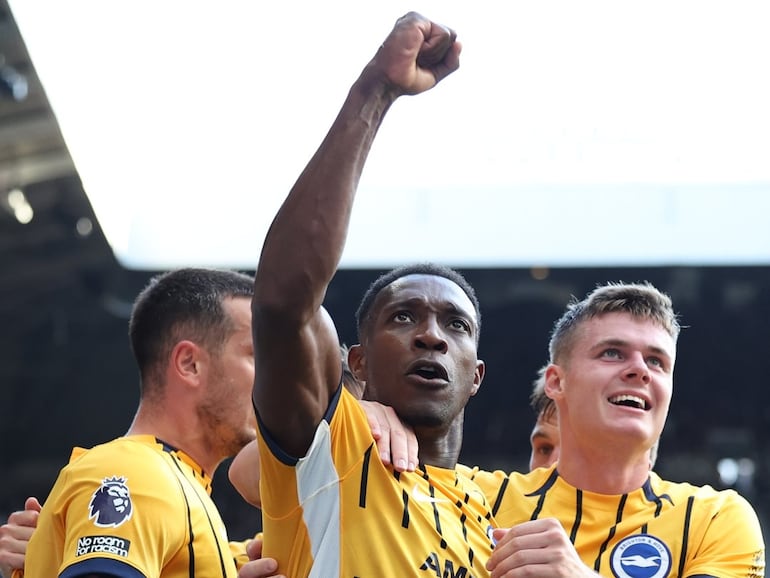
pixel 396 442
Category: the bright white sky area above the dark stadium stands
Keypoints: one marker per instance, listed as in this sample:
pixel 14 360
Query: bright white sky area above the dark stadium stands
pixel 575 133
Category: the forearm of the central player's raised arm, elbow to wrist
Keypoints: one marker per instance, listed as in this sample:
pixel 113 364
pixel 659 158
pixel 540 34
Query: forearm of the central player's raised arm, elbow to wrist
pixel 305 242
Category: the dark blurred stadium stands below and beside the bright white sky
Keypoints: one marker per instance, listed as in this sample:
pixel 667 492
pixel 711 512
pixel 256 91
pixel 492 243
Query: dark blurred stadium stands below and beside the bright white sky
pixel 68 378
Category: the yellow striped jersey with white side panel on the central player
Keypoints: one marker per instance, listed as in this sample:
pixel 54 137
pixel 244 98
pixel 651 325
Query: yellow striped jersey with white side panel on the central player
pixel 338 511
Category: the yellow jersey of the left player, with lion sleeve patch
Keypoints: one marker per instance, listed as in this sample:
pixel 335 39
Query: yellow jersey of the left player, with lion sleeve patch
pixel 133 507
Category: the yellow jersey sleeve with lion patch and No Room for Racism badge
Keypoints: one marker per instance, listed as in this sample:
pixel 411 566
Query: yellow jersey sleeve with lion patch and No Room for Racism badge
pixel 115 516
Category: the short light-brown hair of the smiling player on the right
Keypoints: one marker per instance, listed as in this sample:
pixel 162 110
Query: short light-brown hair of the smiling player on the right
pixel 641 300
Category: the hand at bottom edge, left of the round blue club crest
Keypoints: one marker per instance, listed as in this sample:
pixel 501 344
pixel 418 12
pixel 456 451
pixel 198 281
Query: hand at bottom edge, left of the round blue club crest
pixel 536 548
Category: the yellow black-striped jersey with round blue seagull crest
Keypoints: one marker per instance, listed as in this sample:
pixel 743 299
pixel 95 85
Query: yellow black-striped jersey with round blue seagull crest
pixel 662 529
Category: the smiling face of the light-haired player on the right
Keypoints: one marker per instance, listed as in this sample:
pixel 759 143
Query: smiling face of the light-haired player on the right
pixel 613 387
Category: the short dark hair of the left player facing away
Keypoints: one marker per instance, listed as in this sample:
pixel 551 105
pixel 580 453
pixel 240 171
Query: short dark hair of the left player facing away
pixel 182 304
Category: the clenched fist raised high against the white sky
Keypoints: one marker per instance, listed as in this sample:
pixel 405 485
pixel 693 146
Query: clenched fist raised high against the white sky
pixel 417 54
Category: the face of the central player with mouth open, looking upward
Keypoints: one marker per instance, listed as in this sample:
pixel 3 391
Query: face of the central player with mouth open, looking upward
pixel 419 352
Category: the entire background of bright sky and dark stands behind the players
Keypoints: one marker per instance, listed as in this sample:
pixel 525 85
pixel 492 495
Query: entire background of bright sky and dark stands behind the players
pixel 579 143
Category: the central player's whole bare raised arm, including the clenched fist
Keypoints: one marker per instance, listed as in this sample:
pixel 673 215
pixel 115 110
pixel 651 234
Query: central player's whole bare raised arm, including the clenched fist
pixel 296 344
